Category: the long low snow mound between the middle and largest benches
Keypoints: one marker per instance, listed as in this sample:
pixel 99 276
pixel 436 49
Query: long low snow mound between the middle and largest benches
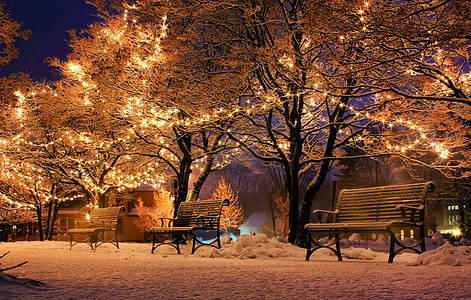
pixel 254 246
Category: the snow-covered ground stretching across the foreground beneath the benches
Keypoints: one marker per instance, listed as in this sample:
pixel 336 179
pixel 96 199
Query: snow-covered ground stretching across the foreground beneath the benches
pixel 254 267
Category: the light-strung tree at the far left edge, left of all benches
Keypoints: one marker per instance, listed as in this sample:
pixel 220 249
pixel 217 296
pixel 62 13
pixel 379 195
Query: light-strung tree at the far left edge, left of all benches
pixel 27 151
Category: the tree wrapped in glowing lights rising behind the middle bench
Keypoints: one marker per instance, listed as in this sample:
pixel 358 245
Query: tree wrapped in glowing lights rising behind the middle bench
pixel 125 70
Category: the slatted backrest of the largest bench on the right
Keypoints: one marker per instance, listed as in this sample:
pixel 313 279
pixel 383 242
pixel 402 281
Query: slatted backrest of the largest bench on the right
pixel 378 204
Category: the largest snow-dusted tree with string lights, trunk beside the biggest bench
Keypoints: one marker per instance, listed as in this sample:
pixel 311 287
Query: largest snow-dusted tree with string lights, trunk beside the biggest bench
pixel 320 76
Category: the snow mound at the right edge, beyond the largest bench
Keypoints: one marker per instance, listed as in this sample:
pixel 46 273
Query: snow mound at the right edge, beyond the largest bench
pixel 445 255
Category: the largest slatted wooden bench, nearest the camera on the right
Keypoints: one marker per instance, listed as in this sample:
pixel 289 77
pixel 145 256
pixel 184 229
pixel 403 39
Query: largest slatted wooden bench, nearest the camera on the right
pixel 374 210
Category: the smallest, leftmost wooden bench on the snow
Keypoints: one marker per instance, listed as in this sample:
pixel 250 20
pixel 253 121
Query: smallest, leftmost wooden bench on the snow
pixel 101 221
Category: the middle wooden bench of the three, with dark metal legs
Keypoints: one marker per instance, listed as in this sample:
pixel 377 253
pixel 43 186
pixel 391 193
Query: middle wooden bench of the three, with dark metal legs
pixel 192 217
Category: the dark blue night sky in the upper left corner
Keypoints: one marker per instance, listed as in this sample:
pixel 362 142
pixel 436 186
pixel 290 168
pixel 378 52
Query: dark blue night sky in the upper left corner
pixel 49 20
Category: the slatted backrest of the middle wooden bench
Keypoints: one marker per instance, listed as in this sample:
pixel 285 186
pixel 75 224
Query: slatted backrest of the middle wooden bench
pixel 190 212
